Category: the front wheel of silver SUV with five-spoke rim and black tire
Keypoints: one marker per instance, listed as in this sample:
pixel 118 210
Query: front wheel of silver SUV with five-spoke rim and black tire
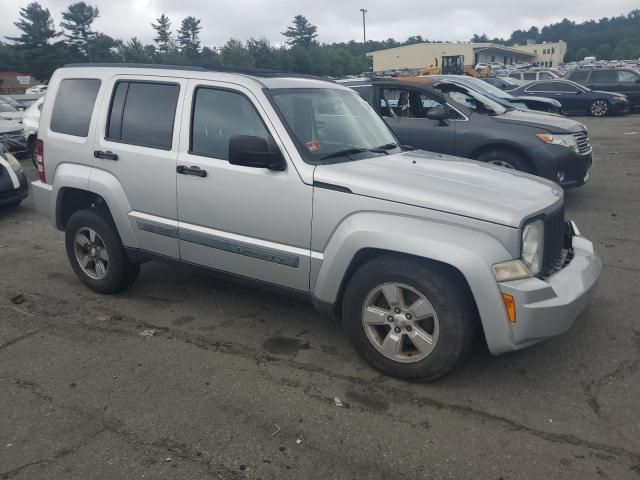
pixel 409 319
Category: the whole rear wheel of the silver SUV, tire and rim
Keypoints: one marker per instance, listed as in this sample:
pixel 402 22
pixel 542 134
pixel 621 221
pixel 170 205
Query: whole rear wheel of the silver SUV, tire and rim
pixel 96 253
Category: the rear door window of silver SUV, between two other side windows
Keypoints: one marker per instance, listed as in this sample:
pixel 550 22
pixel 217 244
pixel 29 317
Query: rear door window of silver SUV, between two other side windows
pixel 143 113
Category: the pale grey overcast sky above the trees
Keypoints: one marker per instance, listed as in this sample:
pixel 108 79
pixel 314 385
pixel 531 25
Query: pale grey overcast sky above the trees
pixel 337 20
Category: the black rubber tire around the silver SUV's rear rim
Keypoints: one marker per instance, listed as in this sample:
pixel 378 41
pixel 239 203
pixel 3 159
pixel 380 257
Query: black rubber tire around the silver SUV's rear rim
pixel 121 272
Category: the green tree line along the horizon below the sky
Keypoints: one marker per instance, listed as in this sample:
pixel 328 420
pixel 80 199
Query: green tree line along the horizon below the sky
pixel 41 46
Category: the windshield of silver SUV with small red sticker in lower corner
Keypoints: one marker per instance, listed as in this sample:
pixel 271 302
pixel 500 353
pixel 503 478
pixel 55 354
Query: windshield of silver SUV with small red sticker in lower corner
pixel 325 122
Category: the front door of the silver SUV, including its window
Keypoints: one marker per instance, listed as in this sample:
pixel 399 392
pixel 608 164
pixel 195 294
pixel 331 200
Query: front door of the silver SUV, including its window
pixel 252 222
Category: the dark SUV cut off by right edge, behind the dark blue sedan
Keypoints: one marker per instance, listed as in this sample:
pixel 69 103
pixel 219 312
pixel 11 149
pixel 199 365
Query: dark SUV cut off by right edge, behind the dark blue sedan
pixel 619 80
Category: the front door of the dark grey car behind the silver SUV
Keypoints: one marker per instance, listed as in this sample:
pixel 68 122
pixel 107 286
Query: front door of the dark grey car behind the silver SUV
pixel 405 110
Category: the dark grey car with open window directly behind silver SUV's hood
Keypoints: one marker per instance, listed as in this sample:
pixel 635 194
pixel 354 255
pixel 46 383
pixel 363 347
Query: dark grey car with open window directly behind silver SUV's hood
pixel 449 118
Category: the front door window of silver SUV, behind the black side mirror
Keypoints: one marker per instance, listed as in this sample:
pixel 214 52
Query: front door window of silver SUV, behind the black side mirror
pixel 219 115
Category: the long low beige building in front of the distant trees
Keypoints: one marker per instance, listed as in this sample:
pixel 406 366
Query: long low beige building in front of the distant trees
pixel 427 55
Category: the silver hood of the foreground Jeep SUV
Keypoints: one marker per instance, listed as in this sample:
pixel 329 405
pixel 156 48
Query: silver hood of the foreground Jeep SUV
pixel 449 184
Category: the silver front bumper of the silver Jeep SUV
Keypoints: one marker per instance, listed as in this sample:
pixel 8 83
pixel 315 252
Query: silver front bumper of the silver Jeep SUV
pixel 548 307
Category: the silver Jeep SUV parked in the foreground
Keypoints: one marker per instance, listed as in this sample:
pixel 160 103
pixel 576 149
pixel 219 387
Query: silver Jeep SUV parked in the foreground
pixel 297 183
